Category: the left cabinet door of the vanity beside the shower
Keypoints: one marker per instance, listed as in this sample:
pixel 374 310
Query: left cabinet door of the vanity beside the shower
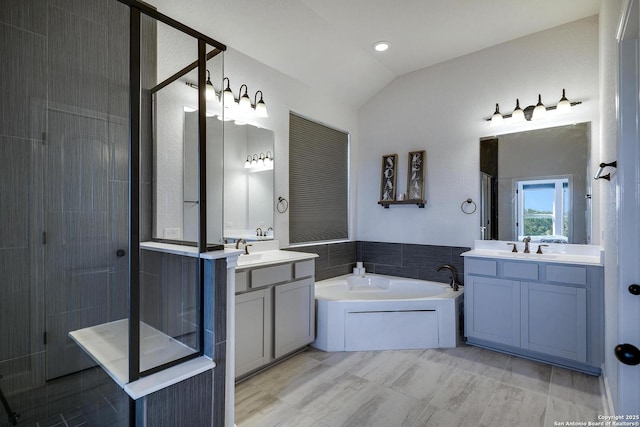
pixel 253 330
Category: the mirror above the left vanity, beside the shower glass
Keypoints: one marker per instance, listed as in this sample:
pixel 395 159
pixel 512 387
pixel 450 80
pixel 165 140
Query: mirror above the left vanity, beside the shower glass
pixel 247 209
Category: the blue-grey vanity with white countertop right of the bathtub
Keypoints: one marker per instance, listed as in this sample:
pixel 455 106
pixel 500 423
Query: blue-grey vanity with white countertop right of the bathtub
pixel 546 307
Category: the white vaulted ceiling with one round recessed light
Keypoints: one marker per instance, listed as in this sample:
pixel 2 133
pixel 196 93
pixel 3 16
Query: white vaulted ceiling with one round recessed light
pixel 327 44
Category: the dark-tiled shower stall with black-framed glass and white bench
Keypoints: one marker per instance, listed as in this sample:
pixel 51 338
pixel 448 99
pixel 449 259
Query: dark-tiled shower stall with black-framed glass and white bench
pixel 92 305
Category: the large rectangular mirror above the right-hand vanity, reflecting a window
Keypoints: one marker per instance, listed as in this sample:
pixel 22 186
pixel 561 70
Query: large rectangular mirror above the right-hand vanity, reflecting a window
pixel 536 183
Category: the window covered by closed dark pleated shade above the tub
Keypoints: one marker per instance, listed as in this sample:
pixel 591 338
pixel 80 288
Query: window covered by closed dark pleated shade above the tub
pixel 318 182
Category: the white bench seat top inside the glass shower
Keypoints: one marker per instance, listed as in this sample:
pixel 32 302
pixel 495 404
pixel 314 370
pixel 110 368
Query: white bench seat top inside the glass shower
pixel 108 345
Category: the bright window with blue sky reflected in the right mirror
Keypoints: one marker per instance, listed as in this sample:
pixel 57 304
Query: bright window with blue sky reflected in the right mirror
pixel 543 210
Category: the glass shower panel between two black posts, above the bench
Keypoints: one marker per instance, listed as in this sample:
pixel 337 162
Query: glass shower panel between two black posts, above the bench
pixel 170 274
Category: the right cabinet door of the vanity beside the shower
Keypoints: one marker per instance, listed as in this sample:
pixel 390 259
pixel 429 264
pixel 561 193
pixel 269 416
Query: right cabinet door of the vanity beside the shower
pixel 294 316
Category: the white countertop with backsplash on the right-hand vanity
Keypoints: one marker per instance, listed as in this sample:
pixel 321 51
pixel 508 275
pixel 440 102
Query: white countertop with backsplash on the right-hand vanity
pixel 555 252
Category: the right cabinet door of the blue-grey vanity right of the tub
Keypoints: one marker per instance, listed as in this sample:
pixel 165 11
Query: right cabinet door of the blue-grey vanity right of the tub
pixel 554 320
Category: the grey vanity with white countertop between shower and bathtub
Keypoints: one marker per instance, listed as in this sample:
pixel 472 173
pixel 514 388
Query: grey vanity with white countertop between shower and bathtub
pixel 274 308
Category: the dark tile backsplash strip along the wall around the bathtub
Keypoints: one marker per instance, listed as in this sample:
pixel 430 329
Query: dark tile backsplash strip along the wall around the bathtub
pixel 395 259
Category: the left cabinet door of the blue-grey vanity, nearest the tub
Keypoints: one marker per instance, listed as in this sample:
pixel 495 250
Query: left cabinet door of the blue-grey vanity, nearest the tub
pixel 492 310
